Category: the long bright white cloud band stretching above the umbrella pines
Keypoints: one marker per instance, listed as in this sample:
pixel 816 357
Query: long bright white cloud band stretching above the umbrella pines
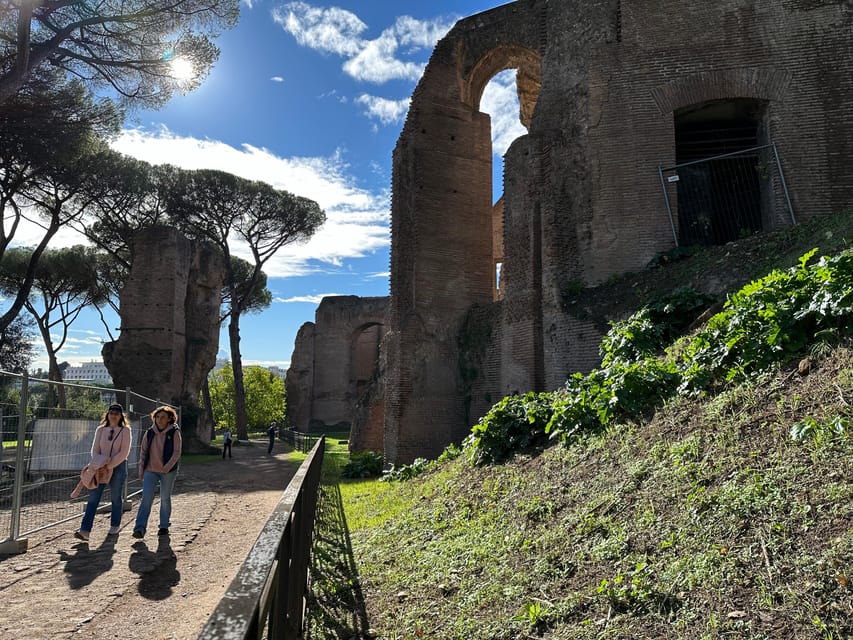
pixel 356 219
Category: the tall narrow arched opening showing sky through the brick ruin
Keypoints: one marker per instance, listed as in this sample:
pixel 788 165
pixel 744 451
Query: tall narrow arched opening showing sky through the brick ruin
pixel 505 85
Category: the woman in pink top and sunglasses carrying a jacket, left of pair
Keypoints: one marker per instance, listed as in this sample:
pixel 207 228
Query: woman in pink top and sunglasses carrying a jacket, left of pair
pixel 110 449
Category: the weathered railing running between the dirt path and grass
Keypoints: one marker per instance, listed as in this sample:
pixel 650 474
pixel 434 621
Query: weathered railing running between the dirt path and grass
pixel 266 599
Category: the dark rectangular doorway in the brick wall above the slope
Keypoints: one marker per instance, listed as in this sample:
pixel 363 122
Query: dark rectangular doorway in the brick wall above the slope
pixel 717 148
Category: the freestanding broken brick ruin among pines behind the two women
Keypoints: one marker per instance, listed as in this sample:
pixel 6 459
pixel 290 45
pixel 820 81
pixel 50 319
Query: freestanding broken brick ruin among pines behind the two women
pixel 169 310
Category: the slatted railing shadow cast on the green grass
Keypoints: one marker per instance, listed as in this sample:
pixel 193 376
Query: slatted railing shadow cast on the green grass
pixel 335 603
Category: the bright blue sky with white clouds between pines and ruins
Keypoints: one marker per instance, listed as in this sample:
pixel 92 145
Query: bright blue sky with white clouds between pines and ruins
pixel 311 98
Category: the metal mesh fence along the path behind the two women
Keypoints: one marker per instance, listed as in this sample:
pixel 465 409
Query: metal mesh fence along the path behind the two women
pixel 42 454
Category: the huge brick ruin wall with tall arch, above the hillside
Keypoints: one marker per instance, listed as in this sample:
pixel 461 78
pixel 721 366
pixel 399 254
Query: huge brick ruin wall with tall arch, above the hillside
pixel 602 84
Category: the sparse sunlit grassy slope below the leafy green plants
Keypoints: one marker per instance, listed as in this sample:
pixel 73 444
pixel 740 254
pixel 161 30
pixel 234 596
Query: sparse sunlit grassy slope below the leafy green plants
pixel 706 521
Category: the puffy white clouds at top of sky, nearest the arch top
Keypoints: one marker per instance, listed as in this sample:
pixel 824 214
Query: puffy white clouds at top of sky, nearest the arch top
pixel 338 31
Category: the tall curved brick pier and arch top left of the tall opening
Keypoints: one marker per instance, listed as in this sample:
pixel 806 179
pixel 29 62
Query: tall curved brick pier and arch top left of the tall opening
pixel 443 247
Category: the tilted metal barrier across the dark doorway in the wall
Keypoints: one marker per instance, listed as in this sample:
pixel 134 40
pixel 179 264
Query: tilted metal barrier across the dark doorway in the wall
pixel 723 198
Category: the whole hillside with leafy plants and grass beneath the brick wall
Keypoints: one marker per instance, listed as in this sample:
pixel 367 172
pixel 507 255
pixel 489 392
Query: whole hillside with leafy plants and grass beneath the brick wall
pixel 697 486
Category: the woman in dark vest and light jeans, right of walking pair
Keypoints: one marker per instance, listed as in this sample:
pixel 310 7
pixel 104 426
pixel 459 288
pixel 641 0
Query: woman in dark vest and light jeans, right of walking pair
pixel 159 455
